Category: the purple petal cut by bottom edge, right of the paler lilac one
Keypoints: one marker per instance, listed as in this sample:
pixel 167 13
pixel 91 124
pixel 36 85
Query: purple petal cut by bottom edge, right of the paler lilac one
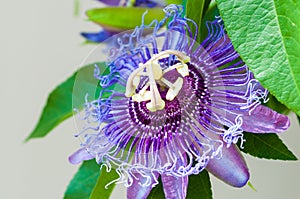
pixel 174 187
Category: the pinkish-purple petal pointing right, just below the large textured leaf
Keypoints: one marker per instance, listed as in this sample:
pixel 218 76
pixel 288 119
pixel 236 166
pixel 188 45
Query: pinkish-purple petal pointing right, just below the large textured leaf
pixel 265 120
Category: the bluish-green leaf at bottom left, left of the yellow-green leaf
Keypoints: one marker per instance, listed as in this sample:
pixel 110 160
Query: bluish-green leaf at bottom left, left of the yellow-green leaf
pixel 84 181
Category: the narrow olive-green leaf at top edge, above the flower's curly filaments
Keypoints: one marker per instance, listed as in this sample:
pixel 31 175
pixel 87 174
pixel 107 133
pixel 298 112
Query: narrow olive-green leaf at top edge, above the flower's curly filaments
pixel 194 11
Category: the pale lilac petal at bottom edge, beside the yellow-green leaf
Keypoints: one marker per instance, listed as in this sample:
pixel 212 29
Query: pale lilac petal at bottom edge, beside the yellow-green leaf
pixel 137 190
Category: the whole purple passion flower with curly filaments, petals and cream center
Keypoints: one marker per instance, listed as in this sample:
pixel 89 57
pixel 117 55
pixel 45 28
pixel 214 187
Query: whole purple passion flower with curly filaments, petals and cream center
pixel 171 108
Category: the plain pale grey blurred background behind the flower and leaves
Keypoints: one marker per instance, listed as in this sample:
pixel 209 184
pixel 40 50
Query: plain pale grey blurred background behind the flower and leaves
pixel 40 47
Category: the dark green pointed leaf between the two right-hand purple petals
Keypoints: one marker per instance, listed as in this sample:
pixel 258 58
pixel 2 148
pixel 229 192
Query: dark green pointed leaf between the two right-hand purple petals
pixel 268 146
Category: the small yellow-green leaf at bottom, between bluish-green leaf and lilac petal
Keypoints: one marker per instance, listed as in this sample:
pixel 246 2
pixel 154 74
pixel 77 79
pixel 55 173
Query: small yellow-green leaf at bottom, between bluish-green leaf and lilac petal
pixel 105 178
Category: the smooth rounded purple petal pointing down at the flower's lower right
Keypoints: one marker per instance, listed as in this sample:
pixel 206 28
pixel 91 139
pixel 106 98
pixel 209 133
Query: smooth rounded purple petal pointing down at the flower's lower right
pixel 230 168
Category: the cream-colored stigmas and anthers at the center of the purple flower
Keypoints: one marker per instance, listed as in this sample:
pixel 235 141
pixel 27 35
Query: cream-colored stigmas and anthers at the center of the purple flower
pixel 155 74
